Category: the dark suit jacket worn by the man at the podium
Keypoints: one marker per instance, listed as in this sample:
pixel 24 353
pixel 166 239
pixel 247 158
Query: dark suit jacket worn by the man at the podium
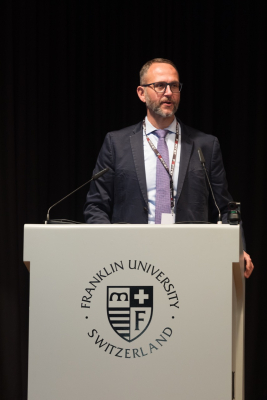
pixel 120 195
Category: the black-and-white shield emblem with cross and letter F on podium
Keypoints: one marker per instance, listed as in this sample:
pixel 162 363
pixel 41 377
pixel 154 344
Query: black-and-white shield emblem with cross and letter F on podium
pixel 129 310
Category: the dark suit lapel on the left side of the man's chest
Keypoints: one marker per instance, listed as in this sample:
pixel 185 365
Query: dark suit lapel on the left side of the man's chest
pixel 138 155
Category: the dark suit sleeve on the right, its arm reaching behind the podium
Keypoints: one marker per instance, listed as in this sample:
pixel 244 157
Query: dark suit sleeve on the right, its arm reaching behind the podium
pixel 220 186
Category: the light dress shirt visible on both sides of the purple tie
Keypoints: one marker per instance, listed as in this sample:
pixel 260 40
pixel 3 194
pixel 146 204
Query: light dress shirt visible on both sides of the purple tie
pixel 151 163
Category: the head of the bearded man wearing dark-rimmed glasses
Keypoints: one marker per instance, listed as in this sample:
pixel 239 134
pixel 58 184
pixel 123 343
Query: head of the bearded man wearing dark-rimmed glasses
pixel 162 101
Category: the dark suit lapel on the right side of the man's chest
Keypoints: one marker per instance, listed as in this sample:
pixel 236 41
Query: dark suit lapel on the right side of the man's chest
pixel 186 149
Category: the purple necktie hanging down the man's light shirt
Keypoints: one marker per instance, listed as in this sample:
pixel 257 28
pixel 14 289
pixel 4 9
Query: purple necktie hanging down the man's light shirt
pixel 163 200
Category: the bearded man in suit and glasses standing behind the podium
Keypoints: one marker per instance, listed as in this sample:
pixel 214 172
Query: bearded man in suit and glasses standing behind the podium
pixel 143 159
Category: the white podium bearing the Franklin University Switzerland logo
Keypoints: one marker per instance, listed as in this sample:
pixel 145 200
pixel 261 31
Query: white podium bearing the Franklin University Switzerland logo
pixel 135 312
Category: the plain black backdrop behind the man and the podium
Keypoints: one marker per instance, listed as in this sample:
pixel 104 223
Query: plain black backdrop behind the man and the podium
pixel 68 74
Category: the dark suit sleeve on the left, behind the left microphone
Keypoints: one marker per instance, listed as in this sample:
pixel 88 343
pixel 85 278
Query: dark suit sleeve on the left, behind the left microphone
pixel 99 201
